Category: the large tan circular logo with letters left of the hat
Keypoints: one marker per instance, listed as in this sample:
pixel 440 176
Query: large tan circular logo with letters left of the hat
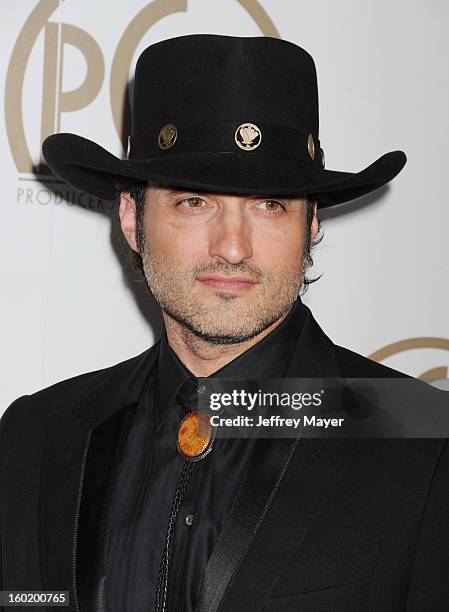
pixel 55 100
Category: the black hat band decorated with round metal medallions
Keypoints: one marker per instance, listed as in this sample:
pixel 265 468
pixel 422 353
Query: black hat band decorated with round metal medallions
pixel 247 139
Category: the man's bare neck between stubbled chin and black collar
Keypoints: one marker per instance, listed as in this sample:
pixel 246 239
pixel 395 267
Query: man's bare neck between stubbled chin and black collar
pixel 202 357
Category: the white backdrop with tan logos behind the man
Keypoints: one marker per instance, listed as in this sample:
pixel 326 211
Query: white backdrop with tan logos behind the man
pixel 69 305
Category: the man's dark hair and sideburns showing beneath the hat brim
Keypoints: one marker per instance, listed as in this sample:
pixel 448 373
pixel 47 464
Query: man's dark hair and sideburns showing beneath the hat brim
pixel 137 190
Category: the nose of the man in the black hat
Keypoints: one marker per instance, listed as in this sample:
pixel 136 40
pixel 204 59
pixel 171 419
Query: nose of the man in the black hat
pixel 230 234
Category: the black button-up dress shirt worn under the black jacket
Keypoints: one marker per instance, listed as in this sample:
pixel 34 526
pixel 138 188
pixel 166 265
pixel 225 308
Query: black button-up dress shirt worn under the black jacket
pixel 149 472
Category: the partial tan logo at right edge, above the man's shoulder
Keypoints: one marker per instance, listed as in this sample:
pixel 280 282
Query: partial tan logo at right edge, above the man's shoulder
pixel 432 375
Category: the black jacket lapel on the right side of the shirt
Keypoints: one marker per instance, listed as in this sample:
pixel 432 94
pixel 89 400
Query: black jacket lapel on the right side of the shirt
pixel 264 515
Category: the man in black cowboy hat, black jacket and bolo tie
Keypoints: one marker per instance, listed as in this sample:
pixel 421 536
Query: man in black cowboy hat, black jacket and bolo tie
pixel 102 496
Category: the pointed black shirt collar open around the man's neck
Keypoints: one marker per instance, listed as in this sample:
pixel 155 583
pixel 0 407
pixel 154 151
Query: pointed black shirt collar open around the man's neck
pixel 266 359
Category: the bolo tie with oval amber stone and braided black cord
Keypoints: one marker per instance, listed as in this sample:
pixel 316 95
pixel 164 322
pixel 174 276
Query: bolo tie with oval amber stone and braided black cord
pixel 194 441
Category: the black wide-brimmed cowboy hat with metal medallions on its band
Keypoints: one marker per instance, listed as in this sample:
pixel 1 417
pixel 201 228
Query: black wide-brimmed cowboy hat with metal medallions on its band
pixel 223 114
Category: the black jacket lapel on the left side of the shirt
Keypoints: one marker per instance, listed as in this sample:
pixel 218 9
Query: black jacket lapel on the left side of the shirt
pixel 81 452
